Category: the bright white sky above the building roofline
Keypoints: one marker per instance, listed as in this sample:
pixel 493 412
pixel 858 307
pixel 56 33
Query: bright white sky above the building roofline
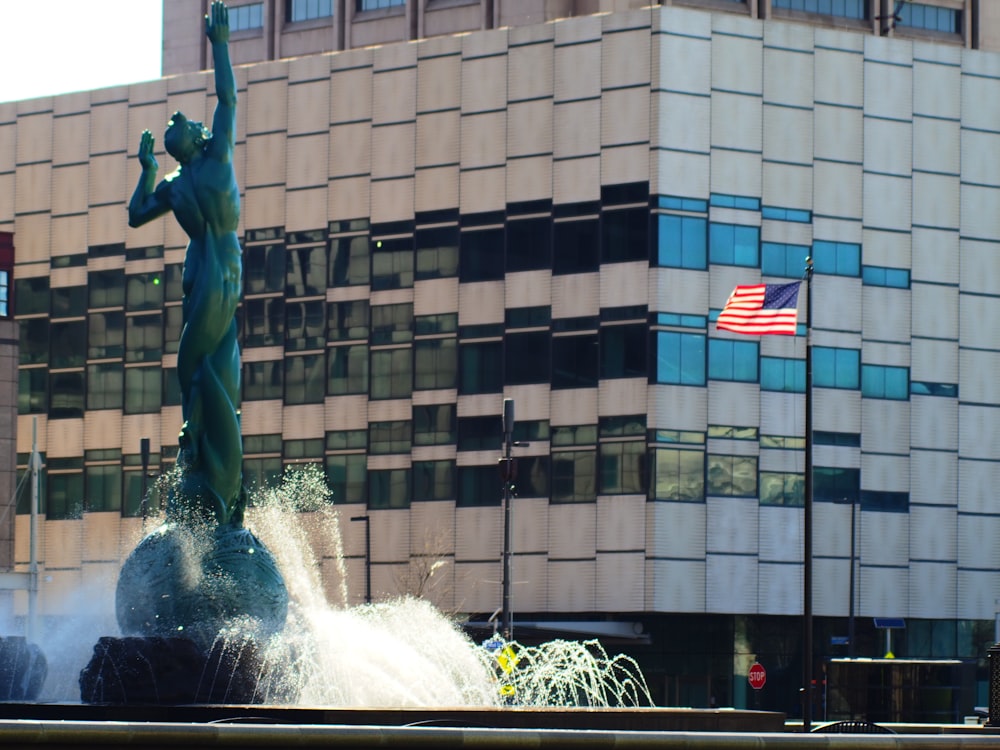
pixel 59 46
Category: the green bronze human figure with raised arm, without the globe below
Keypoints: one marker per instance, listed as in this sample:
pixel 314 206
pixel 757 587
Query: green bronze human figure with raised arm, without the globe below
pixel 204 197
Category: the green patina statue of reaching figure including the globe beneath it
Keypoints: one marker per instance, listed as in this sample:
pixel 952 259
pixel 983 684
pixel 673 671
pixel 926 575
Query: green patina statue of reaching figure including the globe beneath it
pixel 201 570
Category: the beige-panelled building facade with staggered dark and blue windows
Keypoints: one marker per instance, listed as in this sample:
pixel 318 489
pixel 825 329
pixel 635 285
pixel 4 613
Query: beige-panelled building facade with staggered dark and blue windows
pixel 555 213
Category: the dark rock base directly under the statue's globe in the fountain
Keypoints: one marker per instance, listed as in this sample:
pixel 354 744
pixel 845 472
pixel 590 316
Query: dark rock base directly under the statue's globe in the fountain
pixel 174 671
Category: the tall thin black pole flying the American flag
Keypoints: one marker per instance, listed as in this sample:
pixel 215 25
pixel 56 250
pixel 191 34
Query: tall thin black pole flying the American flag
pixel 807 630
